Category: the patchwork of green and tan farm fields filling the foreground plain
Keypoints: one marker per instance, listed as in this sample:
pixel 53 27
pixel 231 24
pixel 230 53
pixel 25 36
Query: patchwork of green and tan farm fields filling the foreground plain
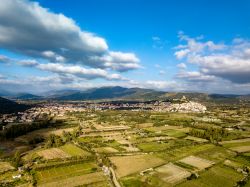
pixel 143 148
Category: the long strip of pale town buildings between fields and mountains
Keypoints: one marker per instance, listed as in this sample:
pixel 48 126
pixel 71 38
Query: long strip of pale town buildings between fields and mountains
pixel 60 109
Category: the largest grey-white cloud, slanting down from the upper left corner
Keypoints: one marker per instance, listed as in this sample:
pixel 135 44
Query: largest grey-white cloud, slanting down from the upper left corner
pixel 28 28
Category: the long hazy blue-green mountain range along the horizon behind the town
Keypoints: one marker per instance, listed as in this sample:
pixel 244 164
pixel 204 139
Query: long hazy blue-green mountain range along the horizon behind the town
pixel 121 93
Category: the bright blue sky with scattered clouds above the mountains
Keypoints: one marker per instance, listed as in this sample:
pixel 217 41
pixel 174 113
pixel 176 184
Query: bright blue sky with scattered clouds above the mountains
pixel 172 45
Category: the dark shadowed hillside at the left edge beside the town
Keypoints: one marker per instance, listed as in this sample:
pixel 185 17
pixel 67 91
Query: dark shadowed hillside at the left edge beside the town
pixel 8 106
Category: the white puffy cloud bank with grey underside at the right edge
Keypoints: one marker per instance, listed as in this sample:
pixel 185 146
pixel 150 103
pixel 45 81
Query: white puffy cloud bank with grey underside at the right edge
pixel 230 62
